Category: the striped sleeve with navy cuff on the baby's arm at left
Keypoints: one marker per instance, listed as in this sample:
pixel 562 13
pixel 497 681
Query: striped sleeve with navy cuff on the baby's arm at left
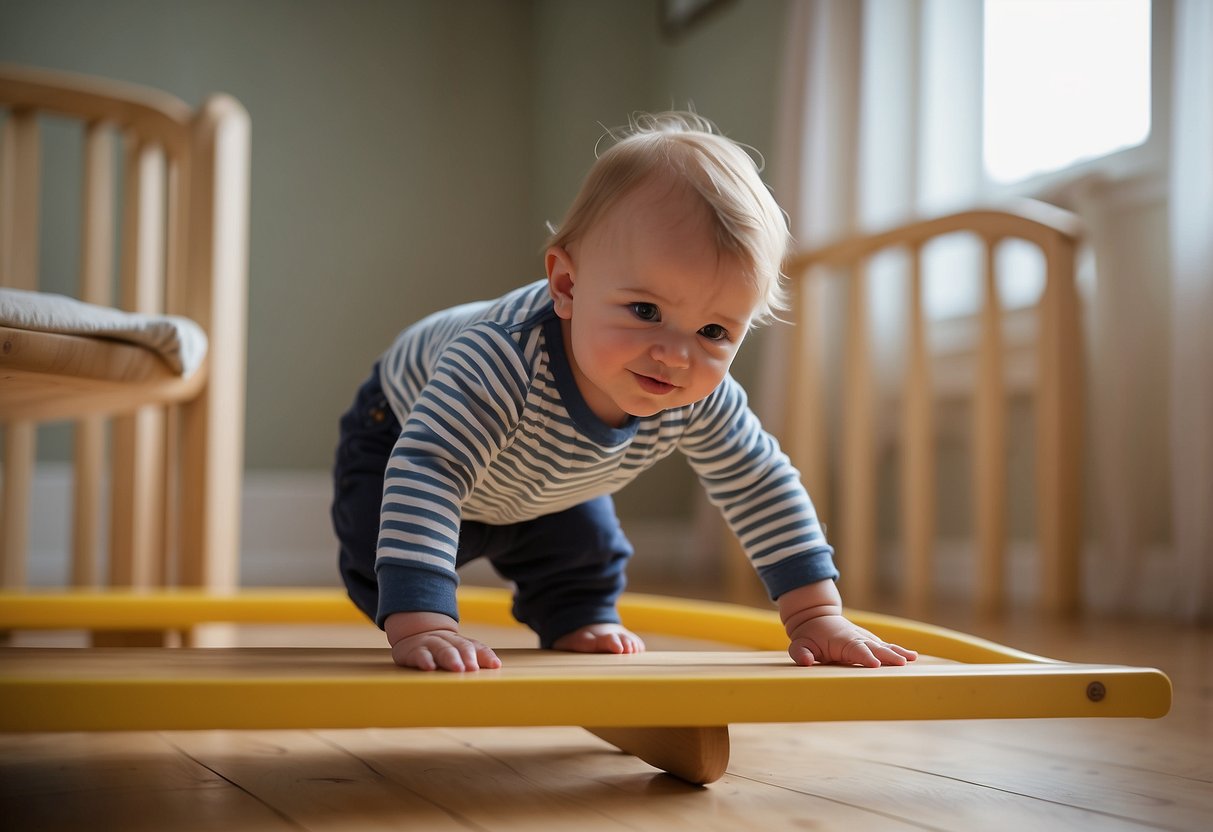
pixel 457 426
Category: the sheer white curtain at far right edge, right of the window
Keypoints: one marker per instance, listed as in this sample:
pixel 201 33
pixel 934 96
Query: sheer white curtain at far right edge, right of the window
pixel 1192 307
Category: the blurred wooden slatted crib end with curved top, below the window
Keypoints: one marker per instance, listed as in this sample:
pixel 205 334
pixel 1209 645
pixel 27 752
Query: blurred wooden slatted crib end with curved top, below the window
pixel 846 492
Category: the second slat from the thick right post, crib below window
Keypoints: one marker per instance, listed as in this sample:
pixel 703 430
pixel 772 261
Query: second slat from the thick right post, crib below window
pixel 919 454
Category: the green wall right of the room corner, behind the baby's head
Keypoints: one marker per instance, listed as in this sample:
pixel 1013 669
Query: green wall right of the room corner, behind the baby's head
pixel 597 62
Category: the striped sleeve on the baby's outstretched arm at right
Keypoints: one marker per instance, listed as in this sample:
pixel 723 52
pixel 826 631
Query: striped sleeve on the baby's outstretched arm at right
pixel 759 492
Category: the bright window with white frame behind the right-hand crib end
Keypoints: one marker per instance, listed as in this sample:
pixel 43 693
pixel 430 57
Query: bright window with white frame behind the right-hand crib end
pixel 1067 89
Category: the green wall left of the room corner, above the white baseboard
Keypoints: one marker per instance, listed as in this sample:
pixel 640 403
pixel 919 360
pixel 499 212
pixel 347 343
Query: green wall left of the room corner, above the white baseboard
pixel 386 176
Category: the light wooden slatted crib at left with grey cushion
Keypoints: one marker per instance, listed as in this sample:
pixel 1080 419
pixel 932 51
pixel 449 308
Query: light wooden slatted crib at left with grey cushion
pixel 160 364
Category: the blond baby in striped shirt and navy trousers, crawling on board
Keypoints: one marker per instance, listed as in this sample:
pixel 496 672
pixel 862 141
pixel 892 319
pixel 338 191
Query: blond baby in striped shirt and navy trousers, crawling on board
pixel 502 429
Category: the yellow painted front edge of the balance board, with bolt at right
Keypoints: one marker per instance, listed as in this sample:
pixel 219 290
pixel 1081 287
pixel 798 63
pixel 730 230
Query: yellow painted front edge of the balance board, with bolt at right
pixel 491 698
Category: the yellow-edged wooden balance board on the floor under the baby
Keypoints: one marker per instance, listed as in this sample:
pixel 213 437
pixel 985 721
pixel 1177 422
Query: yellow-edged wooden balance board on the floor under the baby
pixel 671 709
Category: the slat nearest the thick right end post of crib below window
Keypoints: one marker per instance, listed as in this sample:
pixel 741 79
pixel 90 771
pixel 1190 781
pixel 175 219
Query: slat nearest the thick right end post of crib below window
pixel 990 443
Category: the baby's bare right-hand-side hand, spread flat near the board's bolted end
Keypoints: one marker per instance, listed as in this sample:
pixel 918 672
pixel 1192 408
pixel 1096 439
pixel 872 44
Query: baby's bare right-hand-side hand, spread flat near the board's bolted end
pixel 819 632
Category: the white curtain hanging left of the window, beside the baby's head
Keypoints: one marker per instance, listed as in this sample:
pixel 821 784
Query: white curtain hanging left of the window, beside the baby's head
pixel 880 121
